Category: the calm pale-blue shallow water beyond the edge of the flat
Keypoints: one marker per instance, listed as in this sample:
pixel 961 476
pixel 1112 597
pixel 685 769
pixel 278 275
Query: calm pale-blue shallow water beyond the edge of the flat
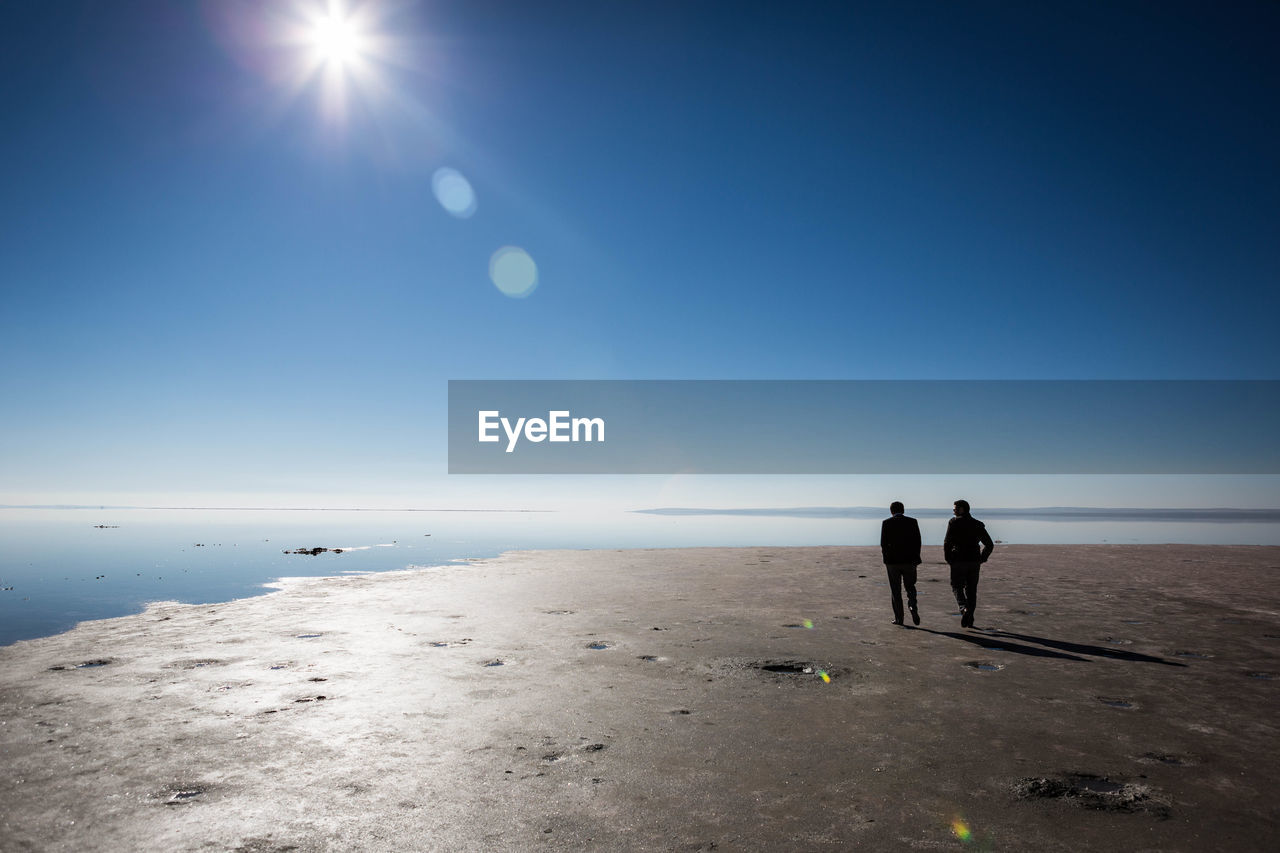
pixel 63 567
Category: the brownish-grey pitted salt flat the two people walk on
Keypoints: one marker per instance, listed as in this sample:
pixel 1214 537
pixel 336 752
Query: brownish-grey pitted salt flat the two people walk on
pixel 1112 699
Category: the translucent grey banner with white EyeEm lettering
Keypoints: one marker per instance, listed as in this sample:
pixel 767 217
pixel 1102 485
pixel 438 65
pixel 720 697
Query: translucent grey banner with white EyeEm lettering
pixel 865 427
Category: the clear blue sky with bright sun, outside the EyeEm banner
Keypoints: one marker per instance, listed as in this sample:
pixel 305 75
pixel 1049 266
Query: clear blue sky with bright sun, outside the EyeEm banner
pixel 227 276
